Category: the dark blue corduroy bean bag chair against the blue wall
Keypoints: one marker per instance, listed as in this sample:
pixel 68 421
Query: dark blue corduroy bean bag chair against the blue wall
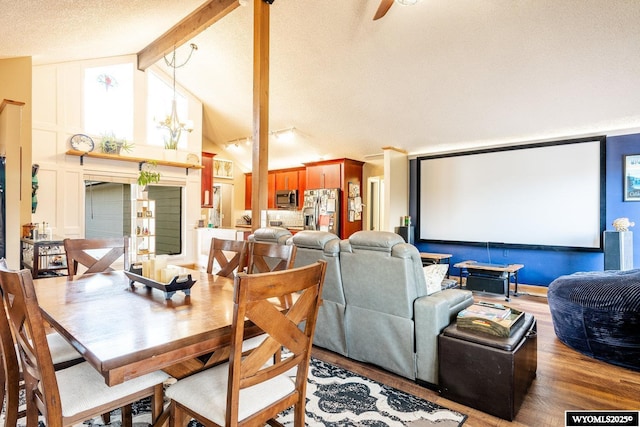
pixel 598 314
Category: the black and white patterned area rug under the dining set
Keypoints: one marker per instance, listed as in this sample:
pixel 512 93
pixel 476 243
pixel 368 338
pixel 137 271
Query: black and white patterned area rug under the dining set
pixel 337 397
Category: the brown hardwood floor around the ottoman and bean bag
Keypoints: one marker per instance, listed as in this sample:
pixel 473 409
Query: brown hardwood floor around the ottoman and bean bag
pixel 566 380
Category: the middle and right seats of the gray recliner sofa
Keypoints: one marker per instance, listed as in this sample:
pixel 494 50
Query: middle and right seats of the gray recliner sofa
pixel 382 307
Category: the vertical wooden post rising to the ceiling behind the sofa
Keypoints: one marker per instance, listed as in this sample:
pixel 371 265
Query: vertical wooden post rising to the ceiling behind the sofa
pixel 260 153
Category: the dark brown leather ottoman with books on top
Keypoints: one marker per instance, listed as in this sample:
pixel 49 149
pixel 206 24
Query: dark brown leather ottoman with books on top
pixel 487 372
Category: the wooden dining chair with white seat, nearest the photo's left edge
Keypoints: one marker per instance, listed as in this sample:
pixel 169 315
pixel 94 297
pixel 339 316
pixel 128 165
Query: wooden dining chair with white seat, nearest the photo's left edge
pixel 72 395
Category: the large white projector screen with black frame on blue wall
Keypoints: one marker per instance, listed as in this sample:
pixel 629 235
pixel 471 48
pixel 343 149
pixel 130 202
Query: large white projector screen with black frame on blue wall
pixel 549 194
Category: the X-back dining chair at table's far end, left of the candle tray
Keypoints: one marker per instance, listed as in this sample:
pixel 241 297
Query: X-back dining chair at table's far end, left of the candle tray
pixel 97 255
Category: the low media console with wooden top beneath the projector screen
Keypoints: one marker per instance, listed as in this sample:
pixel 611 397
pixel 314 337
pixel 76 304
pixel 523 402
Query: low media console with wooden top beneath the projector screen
pixel 492 278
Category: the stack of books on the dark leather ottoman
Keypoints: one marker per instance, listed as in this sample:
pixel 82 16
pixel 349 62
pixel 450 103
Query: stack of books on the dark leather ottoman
pixel 494 319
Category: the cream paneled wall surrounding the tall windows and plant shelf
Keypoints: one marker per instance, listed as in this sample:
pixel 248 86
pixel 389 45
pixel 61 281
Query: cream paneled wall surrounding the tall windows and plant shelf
pixel 57 115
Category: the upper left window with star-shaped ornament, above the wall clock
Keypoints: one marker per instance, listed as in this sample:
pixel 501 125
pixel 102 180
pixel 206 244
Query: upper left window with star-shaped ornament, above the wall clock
pixel 108 100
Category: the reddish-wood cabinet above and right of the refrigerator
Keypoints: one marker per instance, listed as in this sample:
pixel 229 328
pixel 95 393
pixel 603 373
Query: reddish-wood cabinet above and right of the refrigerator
pixel 345 174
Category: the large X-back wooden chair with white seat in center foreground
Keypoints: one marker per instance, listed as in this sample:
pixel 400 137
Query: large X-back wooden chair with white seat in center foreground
pixel 253 389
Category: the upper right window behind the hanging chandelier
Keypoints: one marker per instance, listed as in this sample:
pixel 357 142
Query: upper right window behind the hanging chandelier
pixel 159 101
